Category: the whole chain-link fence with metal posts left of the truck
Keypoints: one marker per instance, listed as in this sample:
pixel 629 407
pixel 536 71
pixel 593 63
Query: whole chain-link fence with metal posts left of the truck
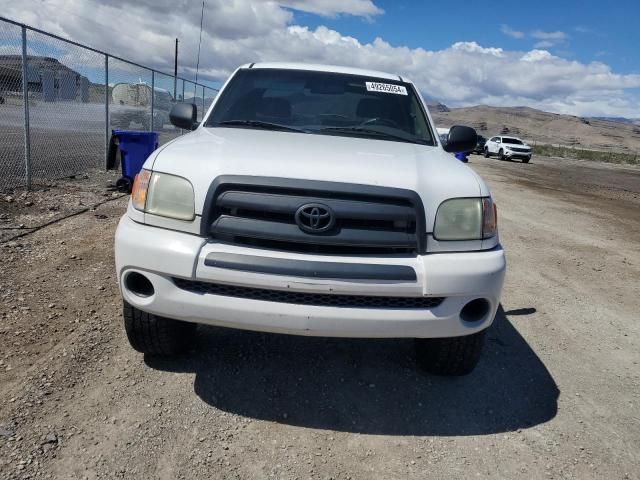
pixel 60 100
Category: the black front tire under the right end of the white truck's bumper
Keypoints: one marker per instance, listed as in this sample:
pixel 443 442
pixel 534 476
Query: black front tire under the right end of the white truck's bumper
pixel 453 356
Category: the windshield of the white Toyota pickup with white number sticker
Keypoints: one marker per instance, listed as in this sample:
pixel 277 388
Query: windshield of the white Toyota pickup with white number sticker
pixel 322 103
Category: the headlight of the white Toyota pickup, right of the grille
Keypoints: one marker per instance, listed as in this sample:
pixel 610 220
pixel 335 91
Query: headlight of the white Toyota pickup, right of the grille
pixel 466 219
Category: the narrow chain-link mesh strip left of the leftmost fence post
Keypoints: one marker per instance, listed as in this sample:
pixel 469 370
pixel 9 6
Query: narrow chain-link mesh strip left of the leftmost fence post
pixel 12 160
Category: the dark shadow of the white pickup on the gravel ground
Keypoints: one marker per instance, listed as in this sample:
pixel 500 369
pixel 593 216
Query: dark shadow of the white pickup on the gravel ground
pixel 368 386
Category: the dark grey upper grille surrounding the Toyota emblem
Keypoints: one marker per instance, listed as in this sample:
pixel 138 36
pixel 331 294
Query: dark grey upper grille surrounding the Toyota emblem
pixel 260 212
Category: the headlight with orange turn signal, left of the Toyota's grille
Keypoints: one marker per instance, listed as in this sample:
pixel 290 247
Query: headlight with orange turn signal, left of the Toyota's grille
pixel 163 194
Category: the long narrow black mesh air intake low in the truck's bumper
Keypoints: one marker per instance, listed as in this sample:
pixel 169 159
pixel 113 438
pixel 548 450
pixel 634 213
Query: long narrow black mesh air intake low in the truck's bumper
pixel 316 299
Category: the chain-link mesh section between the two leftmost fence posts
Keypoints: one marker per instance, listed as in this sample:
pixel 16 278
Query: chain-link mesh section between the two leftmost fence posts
pixel 66 107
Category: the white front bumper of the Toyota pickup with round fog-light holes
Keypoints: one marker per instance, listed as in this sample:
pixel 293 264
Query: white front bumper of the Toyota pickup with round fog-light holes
pixel 162 255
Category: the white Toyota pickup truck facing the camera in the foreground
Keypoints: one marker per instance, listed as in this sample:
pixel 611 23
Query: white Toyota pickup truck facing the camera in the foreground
pixel 312 200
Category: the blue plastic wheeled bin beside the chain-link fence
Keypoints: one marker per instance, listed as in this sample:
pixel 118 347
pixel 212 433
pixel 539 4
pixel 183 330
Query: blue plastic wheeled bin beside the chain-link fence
pixel 135 147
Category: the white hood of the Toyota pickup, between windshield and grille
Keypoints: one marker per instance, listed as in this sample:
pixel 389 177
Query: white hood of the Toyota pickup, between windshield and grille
pixel 206 153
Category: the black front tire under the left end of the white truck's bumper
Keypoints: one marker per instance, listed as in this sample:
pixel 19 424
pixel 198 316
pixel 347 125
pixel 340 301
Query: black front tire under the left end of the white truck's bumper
pixel 155 335
